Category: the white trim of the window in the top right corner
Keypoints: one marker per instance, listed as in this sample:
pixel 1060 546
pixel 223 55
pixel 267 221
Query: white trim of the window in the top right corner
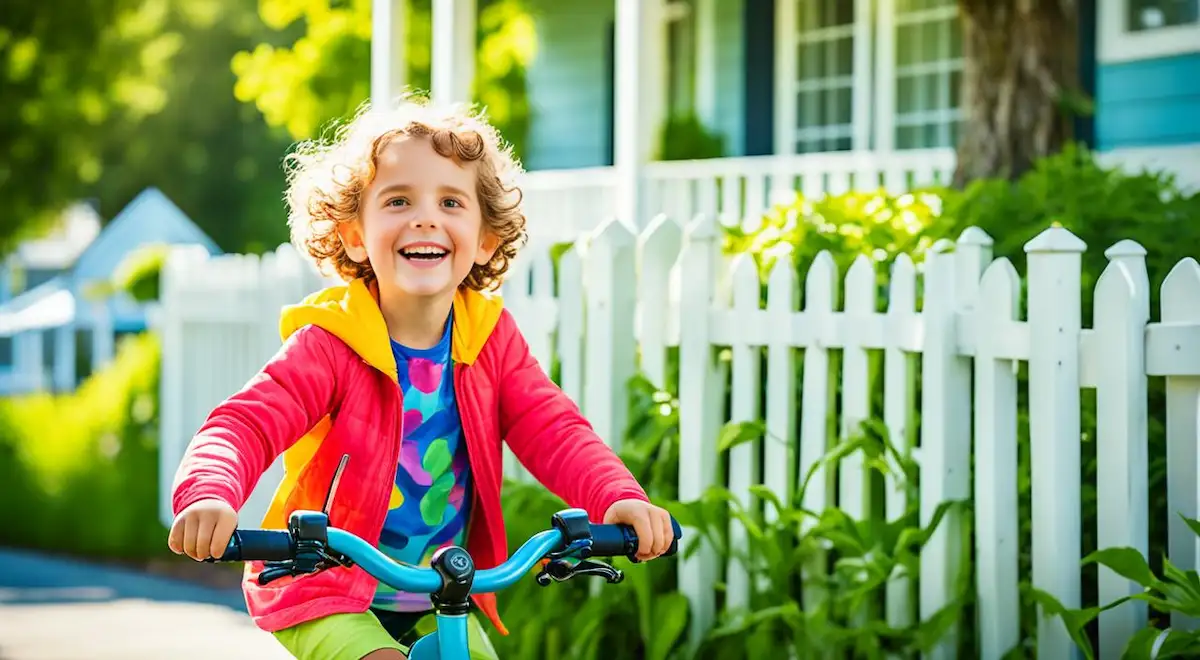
pixel 1115 44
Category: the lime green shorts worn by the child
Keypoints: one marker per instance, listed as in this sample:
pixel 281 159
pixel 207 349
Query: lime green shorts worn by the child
pixel 352 637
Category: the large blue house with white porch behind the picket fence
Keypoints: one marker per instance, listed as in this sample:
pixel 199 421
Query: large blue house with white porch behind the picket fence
pixel 813 95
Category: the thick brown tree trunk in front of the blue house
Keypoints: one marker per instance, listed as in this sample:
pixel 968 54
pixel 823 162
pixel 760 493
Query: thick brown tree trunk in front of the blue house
pixel 1021 85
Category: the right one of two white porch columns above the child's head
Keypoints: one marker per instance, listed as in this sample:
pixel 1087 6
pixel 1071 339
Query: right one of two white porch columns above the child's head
pixel 453 62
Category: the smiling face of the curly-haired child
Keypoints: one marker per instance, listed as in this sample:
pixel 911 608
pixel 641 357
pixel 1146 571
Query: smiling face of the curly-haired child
pixel 422 224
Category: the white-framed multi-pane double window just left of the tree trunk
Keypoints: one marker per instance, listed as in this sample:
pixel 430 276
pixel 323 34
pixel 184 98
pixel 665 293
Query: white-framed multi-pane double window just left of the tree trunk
pixel 863 74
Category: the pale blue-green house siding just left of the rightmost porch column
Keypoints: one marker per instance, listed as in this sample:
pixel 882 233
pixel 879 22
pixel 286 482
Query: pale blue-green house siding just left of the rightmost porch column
pixel 569 86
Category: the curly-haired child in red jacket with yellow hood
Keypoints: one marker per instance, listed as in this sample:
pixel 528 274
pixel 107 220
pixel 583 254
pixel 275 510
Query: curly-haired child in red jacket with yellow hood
pixel 415 370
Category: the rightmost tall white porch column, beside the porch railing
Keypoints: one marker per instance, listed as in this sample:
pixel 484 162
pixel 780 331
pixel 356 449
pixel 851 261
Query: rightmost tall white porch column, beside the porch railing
pixel 639 97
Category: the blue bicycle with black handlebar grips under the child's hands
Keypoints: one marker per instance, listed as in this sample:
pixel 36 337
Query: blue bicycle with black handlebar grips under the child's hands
pixel 310 545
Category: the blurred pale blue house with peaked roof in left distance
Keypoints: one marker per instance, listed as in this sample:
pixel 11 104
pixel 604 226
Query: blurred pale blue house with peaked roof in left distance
pixel 53 329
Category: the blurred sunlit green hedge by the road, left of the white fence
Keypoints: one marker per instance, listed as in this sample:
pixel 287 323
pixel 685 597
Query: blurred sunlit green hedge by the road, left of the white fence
pixel 85 466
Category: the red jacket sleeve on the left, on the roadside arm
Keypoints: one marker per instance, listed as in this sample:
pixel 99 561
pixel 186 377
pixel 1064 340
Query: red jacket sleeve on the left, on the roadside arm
pixel 245 434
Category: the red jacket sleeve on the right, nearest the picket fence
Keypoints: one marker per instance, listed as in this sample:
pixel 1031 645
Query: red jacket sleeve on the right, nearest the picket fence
pixel 554 441
